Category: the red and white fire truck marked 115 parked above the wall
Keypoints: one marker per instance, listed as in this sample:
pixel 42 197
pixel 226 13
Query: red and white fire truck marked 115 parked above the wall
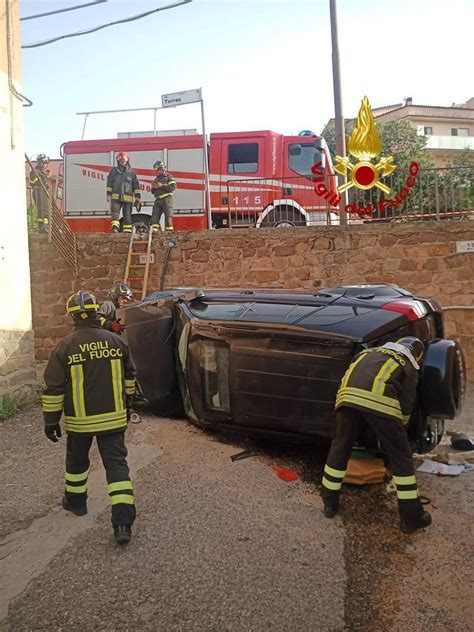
pixel 256 179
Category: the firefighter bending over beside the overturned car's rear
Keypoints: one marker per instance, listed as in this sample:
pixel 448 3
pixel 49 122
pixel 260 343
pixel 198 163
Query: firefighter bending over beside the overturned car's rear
pixel 379 390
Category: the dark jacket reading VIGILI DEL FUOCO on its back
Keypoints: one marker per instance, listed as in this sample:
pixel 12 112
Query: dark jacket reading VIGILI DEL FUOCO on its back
pixel 88 376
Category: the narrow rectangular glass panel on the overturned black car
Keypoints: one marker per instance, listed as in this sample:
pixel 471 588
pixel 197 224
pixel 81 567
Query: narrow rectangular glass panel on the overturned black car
pixel 215 375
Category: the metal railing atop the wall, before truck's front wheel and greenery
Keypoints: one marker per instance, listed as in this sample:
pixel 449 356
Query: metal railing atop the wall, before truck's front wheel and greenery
pixel 435 194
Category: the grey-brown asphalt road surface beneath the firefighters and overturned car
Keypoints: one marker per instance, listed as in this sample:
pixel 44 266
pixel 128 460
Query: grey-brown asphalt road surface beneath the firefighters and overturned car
pixel 222 545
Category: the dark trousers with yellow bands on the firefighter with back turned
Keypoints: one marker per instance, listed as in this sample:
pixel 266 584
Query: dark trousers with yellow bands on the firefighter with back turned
pixel 114 457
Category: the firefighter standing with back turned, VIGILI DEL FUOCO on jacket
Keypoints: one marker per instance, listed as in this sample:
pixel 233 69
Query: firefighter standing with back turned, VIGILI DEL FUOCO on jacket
pixel 91 377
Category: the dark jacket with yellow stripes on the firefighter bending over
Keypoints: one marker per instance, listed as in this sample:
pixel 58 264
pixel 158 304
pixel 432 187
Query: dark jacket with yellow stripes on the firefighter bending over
pixel 380 381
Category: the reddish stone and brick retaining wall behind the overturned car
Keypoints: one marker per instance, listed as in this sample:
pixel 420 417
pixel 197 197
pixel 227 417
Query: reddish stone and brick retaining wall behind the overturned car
pixel 420 257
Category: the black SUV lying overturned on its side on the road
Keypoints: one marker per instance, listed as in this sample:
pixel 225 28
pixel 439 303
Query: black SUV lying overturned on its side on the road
pixel 271 360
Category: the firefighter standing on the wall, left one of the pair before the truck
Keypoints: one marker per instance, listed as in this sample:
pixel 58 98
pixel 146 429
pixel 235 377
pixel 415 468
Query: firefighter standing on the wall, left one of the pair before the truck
pixel 122 186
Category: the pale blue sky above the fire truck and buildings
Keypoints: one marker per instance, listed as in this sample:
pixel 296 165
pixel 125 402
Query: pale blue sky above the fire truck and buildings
pixel 262 64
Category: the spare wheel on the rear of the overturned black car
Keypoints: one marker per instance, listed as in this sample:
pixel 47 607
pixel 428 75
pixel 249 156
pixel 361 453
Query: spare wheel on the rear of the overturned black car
pixel 443 379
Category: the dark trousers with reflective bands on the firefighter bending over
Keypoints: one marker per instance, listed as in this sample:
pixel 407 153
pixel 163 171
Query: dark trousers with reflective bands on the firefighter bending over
pixel 394 441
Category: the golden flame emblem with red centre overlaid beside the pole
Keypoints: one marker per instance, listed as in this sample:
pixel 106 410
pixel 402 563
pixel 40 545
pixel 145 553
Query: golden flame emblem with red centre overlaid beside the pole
pixel 364 144
